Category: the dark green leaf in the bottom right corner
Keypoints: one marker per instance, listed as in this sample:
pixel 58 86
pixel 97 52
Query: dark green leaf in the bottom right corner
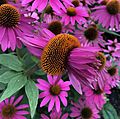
pixel 109 112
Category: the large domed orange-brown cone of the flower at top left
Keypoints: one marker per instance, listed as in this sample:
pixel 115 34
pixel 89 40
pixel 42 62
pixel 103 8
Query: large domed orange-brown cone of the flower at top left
pixel 9 15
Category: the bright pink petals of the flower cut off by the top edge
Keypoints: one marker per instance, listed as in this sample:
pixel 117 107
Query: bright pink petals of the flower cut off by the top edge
pixel 41 4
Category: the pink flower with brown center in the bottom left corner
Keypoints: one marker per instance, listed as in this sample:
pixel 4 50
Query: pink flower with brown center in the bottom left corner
pixel 9 109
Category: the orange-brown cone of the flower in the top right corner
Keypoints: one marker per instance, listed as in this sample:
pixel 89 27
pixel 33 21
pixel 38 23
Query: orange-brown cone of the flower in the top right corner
pixel 113 7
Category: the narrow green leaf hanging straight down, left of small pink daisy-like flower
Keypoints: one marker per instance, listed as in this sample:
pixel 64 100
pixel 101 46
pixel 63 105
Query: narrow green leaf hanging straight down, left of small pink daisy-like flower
pixel 32 94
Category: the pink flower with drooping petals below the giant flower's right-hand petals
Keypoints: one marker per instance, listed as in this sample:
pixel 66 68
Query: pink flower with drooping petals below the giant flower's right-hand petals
pixel 96 94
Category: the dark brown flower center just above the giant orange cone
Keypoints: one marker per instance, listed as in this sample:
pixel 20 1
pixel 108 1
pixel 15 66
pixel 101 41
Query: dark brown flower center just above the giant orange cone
pixel 55 27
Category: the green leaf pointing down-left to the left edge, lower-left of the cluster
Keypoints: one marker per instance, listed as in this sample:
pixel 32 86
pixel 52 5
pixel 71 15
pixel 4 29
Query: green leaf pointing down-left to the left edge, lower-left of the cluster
pixel 15 84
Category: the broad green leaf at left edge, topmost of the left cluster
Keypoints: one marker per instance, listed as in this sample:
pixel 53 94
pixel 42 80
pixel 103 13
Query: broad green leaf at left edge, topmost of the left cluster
pixel 11 61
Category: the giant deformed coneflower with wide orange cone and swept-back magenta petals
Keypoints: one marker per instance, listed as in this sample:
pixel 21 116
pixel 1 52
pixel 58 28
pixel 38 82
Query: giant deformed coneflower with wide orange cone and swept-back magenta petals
pixel 78 61
